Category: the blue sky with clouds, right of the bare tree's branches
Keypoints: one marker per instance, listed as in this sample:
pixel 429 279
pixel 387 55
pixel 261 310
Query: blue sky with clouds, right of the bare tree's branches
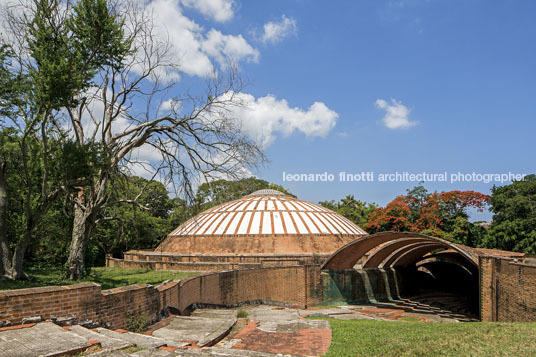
pixel 380 86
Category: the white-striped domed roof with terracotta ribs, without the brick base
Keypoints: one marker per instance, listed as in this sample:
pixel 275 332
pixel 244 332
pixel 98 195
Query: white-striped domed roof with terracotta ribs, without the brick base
pixel 268 213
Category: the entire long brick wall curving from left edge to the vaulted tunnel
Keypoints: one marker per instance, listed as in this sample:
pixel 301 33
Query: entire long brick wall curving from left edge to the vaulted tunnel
pixel 278 285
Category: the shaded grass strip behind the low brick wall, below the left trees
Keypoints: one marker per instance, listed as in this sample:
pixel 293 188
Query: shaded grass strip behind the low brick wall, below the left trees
pixel 107 277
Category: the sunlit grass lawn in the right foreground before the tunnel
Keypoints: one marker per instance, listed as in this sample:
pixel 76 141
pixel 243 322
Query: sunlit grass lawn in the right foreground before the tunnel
pixel 379 338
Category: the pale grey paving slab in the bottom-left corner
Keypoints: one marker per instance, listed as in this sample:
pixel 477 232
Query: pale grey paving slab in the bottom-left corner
pixel 43 339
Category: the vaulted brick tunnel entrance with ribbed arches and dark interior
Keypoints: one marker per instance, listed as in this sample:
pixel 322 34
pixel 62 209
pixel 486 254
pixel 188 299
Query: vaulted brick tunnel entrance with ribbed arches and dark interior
pixel 412 270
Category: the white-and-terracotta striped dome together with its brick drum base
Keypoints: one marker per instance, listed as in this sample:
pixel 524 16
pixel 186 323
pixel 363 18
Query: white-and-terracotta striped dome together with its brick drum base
pixel 264 222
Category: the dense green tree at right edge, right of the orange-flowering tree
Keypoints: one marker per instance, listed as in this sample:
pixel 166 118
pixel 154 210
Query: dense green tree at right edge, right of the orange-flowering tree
pixel 514 217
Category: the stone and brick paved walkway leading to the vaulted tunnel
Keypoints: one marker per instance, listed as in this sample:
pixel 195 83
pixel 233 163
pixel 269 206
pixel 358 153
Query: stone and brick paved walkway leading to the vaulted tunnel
pixel 267 331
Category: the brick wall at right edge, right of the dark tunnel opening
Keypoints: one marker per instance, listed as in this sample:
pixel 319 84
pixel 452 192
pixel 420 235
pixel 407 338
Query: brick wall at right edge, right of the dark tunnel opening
pixel 507 290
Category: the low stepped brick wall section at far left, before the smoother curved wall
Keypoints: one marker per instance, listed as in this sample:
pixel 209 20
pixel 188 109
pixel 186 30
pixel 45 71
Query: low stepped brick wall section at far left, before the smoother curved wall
pixel 86 301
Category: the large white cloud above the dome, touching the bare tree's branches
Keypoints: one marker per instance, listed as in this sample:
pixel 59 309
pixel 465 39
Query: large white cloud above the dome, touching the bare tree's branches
pixel 263 118
